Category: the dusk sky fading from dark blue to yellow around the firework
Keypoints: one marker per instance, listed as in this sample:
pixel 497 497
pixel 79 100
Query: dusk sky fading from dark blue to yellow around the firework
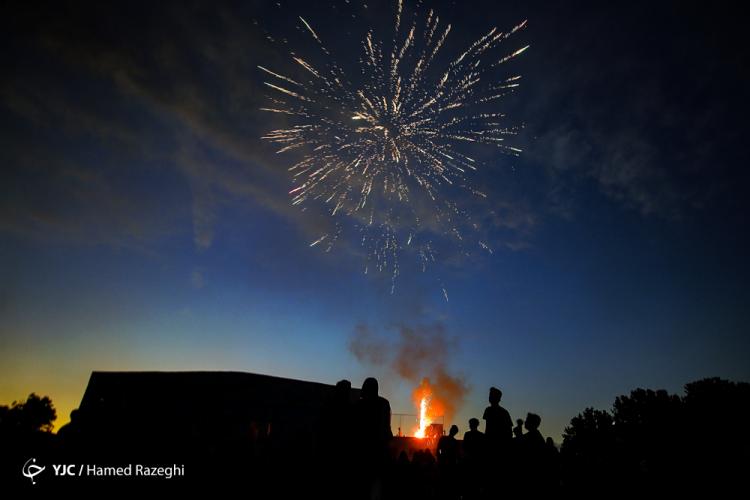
pixel 144 224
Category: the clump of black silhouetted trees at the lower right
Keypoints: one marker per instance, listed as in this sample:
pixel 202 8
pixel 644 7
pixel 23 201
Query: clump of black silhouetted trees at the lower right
pixel 653 439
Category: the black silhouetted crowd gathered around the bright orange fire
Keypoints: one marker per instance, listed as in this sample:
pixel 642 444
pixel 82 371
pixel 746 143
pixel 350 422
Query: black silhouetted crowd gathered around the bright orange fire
pixel 358 447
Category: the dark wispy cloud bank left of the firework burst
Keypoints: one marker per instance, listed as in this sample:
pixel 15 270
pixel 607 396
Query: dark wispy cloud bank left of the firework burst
pixel 205 132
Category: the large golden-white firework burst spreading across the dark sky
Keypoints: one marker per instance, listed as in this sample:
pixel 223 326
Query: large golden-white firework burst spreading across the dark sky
pixel 378 152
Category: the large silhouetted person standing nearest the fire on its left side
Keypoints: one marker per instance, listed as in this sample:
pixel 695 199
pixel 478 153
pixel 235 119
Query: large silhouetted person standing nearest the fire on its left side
pixel 372 415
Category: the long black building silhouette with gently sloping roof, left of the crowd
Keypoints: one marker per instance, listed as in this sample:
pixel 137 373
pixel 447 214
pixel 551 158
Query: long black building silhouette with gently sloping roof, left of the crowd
pixel 163 410
